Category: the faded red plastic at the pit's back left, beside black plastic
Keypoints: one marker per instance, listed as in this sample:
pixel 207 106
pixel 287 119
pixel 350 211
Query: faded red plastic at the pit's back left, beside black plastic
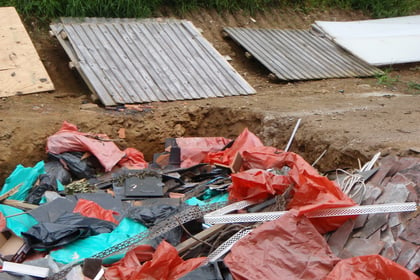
pixel 69 139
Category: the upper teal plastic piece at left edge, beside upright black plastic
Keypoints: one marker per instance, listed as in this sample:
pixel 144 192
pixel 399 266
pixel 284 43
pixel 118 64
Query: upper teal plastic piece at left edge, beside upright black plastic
pixel 26 176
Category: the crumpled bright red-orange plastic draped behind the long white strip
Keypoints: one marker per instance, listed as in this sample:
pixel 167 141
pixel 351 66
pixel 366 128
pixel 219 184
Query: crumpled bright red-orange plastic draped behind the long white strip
pixel 311 191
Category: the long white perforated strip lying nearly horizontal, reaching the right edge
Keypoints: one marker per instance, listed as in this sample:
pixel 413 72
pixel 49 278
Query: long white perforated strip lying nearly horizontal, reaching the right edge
pixel 344 211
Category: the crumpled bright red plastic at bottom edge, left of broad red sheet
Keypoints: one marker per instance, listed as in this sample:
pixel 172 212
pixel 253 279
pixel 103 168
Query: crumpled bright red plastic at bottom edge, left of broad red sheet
pixel 165 264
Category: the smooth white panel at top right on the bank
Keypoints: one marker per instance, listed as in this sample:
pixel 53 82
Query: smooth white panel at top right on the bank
pixel 378 42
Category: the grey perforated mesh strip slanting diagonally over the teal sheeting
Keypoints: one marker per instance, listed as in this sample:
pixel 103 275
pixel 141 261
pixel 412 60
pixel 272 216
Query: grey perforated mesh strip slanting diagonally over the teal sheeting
pixel 187 215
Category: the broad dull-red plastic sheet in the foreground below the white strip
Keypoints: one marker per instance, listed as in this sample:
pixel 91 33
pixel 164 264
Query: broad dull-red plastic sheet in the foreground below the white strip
pixel 287 248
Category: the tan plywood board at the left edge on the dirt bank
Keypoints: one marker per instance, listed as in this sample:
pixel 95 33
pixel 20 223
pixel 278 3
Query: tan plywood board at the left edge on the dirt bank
pixel 28 74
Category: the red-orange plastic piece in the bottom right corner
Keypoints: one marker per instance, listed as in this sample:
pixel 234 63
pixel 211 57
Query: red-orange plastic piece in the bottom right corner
pixel 368 268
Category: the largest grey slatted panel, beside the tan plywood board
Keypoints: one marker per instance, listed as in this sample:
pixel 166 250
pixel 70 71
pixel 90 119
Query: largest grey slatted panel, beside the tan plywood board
pixel 137 61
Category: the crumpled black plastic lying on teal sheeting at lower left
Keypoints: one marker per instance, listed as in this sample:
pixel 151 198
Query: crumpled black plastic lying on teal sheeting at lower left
pixel 66 229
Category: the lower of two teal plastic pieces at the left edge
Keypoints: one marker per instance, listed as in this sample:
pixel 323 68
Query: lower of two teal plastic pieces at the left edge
pixel 19 223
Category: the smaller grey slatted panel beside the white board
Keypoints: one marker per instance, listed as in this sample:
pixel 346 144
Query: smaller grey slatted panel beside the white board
pixel 299 54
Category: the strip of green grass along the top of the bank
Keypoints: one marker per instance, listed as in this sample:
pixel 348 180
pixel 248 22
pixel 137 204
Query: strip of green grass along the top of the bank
pixel 50 9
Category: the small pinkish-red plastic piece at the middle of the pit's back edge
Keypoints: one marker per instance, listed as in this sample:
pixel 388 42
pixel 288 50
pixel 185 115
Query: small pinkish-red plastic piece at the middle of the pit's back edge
pixel 194 150
